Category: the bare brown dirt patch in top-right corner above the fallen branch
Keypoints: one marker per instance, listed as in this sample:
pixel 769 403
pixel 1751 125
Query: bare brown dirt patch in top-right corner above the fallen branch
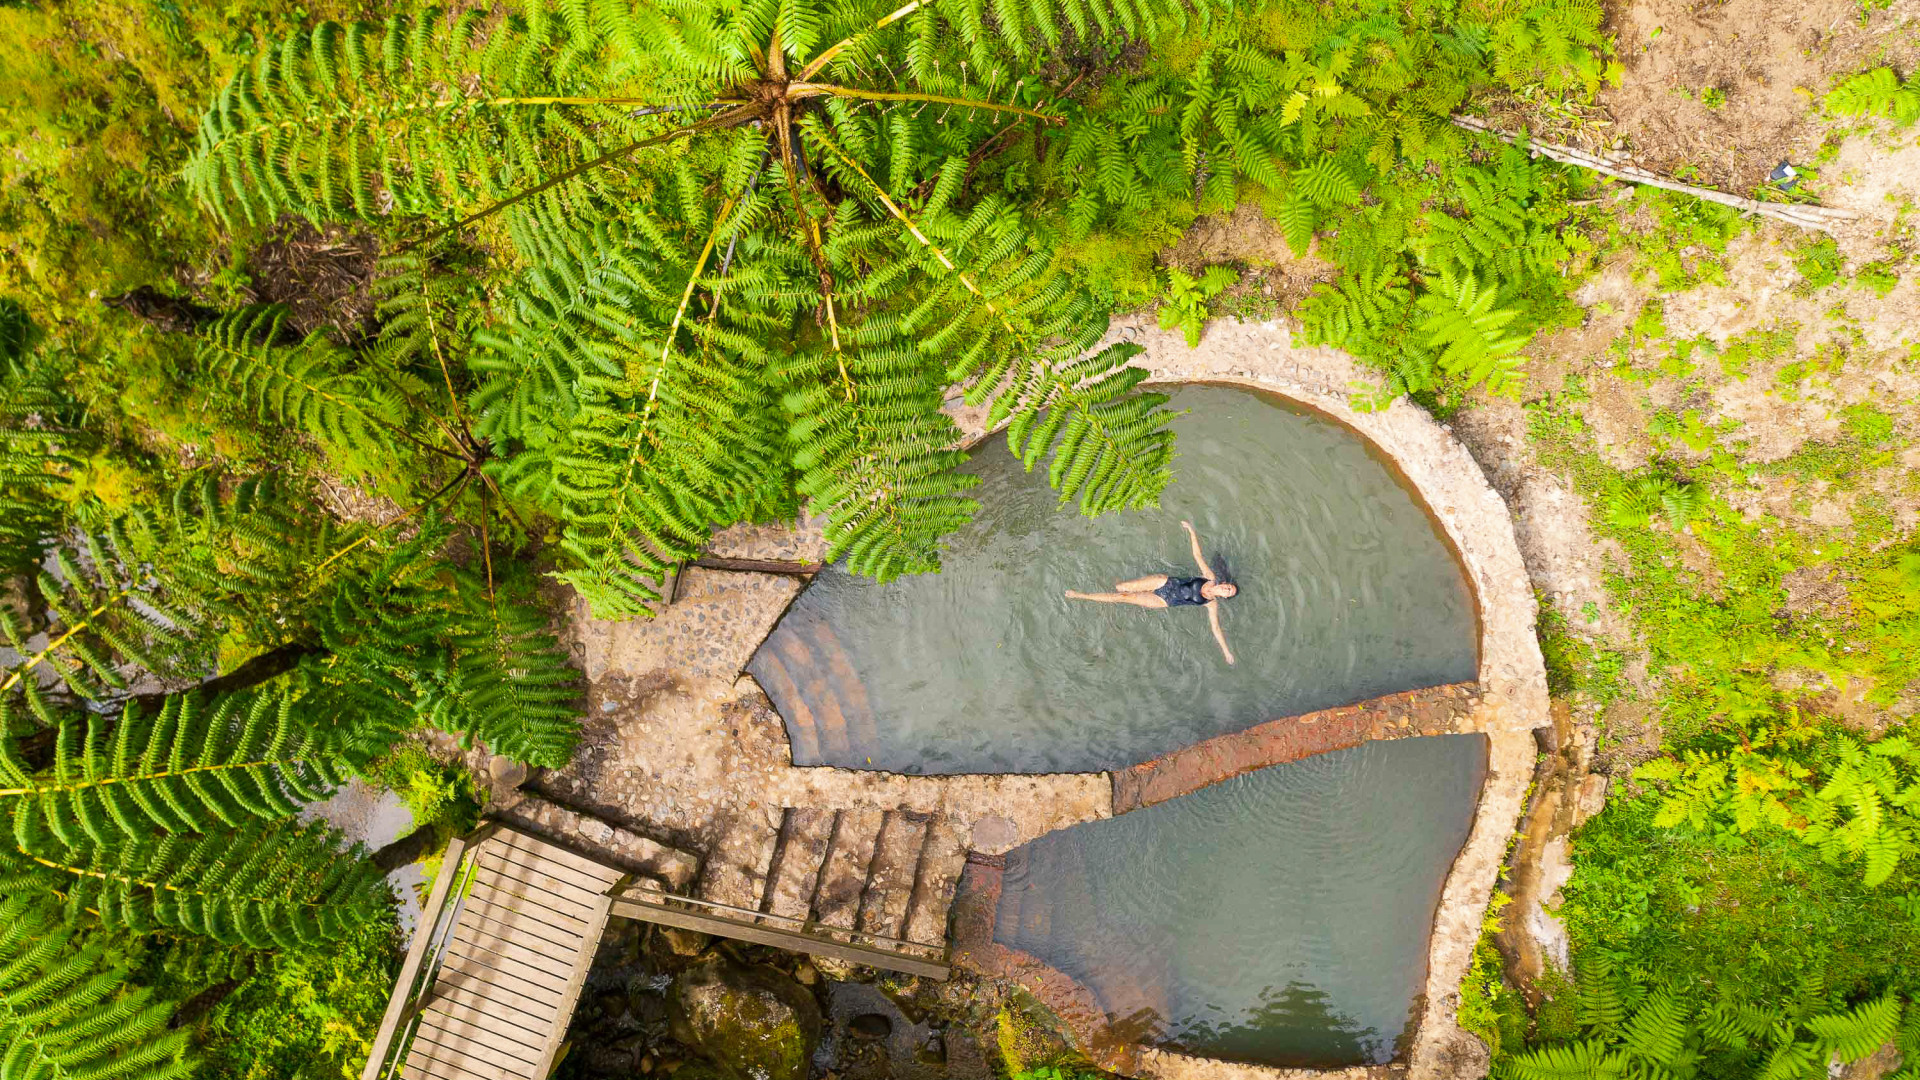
pixel 1771 61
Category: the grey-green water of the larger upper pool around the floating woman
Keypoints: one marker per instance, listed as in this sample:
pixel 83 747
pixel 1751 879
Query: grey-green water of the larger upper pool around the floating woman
pixel 1347 593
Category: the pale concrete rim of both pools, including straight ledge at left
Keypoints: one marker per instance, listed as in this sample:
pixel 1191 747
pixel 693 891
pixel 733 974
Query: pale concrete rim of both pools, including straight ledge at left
pixel 1506 702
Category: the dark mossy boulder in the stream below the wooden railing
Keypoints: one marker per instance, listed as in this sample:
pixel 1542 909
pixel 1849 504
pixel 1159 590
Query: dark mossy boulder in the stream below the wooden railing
pixel 752 1021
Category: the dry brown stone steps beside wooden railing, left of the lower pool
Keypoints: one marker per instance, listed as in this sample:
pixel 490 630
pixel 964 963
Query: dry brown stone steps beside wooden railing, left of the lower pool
pixel 859 875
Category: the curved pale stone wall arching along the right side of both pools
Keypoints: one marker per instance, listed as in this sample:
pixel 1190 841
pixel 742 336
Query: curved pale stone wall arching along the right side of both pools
pixel 1512 697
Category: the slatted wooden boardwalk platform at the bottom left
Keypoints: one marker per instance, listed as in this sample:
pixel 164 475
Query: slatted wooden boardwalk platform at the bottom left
pixel 492 981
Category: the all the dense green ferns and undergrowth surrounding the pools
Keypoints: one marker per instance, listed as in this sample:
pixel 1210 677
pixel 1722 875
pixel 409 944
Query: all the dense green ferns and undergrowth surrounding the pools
pixel 652 270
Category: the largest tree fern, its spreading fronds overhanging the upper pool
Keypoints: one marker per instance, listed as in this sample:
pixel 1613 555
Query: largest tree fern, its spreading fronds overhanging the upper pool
pixel 629 389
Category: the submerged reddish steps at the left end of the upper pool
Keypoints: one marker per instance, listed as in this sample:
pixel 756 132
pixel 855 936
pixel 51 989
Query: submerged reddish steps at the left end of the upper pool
pixel 815 687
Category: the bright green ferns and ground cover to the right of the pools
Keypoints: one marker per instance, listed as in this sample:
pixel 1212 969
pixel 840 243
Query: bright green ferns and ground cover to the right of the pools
pixel 1746 904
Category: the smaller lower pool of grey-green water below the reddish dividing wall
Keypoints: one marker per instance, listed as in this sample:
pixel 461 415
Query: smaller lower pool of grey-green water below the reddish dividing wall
pixel 1280 918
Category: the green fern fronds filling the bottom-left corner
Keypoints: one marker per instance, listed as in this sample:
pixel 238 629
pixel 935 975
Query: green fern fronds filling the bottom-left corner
pixel 68 1008
